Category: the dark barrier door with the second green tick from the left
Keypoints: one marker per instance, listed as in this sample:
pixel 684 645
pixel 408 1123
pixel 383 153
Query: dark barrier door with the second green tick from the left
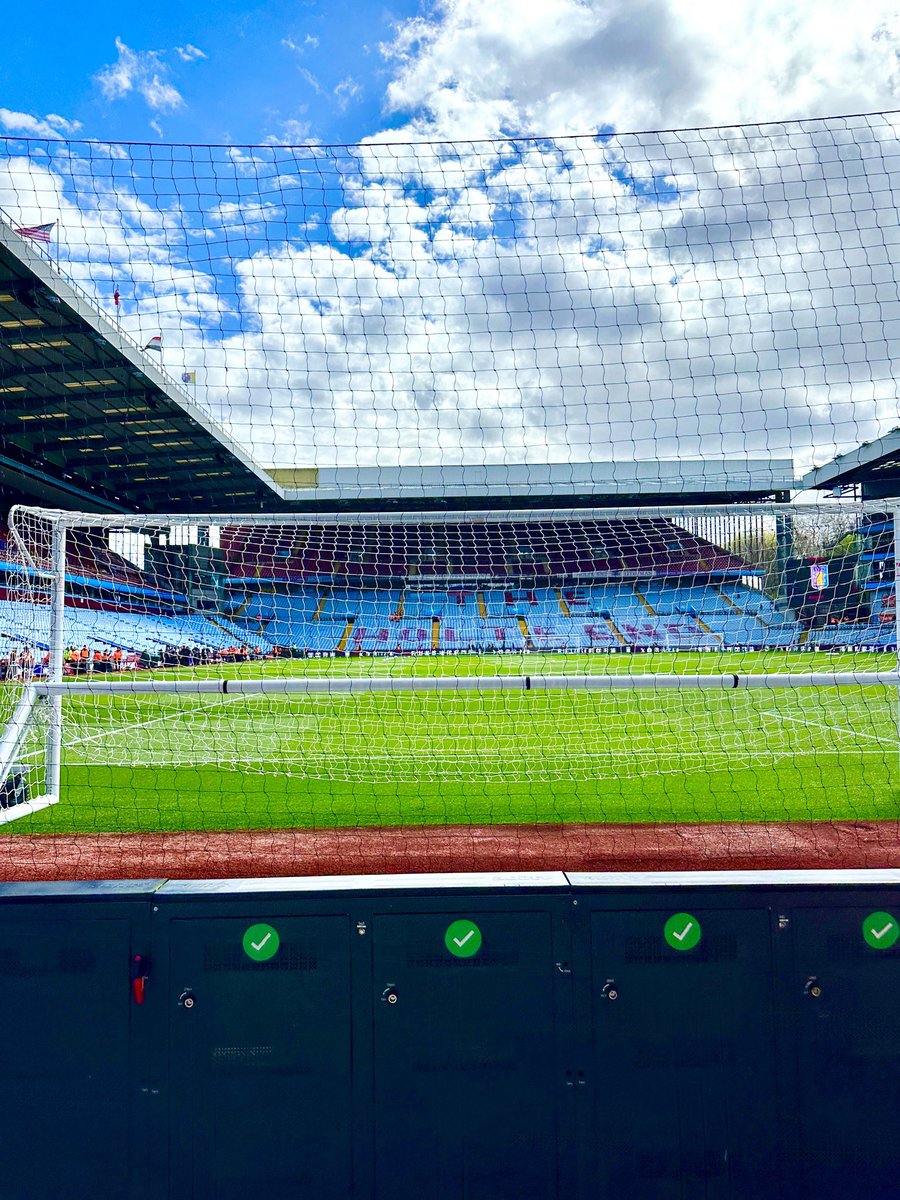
pixel 466 1082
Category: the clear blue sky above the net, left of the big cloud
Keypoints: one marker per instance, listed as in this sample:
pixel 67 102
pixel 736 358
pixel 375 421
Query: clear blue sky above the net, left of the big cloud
pixel 268 70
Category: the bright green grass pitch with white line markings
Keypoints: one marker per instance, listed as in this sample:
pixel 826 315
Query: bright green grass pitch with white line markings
pixel 227 763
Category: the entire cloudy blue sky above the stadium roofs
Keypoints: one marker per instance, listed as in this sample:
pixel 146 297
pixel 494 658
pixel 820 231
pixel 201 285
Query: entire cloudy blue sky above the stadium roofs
pixel 434 295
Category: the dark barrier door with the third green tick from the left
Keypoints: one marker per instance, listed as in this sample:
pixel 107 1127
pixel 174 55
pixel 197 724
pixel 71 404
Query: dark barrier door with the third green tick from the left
pixel 682 1084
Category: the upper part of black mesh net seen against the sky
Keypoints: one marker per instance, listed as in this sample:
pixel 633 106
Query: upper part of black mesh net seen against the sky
pixel 692 295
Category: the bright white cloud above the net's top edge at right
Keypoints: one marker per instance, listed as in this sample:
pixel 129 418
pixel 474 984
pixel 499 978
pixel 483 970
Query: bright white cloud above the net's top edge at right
pixel 556 67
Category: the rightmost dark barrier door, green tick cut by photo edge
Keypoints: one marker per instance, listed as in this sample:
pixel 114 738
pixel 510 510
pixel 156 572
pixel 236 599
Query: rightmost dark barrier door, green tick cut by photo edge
pixel 844 992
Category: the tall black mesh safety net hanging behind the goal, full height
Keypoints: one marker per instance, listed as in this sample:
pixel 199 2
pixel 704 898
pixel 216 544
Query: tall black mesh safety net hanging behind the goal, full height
pixel 614 320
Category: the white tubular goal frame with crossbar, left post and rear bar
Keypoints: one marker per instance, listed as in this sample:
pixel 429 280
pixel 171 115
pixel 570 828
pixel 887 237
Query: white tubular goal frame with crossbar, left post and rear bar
pixel 52 691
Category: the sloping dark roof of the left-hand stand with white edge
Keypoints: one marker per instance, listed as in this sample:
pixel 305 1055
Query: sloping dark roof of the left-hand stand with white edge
pixel 88 421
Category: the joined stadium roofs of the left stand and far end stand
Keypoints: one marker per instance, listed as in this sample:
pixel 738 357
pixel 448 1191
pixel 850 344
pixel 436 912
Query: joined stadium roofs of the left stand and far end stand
pixel 88 421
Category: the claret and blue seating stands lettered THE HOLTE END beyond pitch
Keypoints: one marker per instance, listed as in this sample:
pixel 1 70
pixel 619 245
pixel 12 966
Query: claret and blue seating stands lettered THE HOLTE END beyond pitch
pixel 607 586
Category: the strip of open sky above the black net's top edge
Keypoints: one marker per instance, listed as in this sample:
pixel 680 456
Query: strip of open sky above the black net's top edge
pixel 232 71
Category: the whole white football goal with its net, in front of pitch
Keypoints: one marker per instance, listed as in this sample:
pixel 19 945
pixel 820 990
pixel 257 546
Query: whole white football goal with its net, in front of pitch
pixel 251 673
